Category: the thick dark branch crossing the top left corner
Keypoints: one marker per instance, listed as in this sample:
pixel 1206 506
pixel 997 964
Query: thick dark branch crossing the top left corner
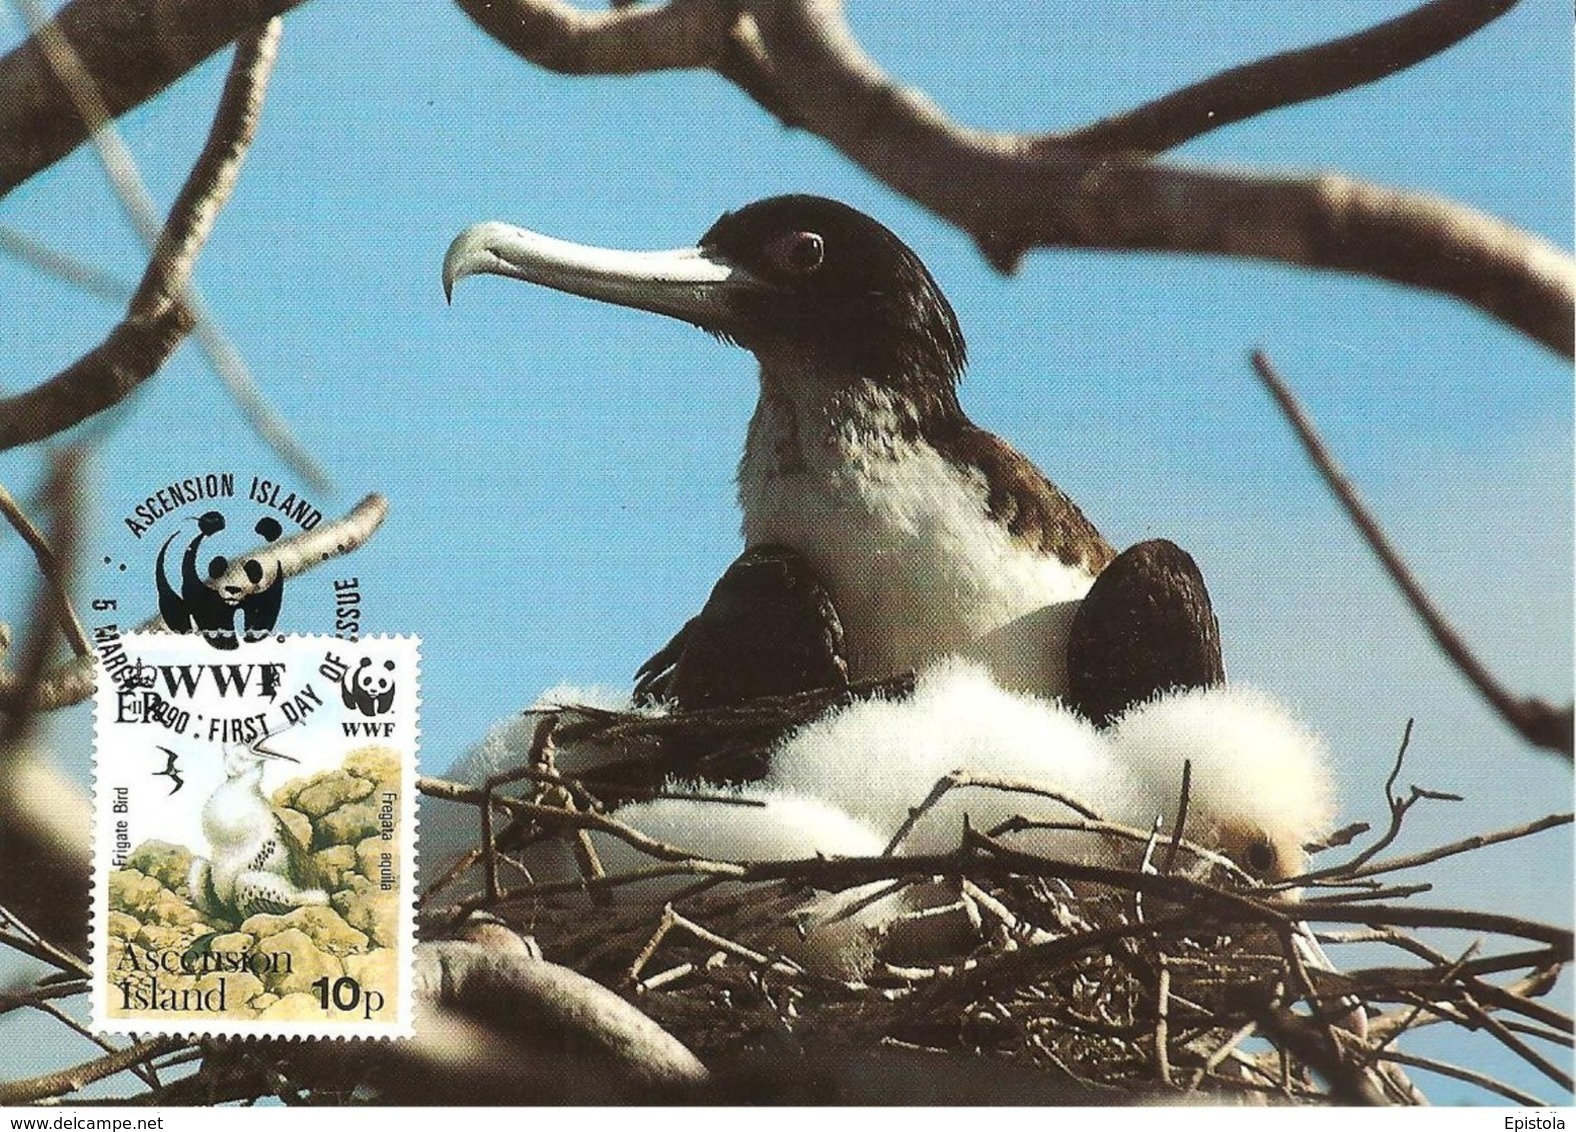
pixel 132 53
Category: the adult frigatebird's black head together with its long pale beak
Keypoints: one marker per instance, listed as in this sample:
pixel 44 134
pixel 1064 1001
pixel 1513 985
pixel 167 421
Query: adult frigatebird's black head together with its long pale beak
pixel 794 275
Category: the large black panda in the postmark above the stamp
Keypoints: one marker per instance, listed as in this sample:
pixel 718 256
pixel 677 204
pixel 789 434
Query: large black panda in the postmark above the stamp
pixel 204 606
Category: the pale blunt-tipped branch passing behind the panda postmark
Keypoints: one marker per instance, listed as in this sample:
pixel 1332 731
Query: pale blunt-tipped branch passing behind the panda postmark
pixel 73 683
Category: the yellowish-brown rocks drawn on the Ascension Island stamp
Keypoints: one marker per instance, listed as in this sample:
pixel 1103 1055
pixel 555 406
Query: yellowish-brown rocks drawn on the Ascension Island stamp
pixel 336 814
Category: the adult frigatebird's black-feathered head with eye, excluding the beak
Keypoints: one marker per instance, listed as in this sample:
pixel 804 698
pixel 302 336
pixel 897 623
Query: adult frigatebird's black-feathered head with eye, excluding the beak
pixel 841 286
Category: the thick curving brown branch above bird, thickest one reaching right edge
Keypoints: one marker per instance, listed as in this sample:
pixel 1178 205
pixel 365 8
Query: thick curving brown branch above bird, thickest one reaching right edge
pixel 1014 195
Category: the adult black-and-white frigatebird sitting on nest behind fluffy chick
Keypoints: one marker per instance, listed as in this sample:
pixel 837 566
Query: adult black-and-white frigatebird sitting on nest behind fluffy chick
pixel 883 529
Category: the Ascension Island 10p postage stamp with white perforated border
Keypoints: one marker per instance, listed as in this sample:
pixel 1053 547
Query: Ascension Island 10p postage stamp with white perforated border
pixel 255 836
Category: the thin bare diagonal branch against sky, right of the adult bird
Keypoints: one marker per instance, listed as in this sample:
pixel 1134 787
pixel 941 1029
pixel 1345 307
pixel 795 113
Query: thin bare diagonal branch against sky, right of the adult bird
pixel 1536 721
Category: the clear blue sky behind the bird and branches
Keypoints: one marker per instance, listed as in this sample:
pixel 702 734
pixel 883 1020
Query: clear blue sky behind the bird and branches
pixel 560 472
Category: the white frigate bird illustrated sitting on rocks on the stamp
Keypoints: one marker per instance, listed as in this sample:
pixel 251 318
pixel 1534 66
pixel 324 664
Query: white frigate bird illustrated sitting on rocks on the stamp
pixel 258 865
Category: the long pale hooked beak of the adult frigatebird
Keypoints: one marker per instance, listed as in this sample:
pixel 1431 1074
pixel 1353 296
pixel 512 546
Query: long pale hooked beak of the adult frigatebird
pixel 693 285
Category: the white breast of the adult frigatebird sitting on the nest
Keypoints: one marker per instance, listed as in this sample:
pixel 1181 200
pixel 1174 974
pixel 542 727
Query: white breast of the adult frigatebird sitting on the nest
pixel 902 537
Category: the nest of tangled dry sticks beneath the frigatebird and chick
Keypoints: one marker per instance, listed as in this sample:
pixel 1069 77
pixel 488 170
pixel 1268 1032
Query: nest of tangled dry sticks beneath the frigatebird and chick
pixel 1173 975
